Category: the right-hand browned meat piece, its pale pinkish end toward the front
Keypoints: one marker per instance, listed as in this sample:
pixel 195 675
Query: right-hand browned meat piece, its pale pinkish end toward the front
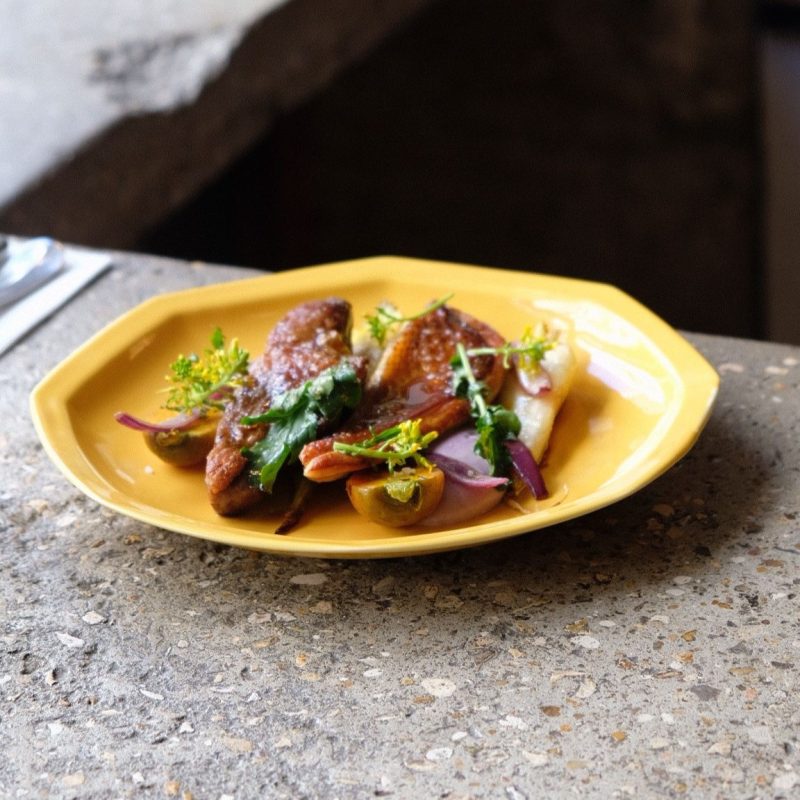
pixel 412 381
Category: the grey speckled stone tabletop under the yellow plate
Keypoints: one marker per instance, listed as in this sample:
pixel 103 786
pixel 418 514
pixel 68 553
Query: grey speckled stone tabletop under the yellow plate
pixel 647 650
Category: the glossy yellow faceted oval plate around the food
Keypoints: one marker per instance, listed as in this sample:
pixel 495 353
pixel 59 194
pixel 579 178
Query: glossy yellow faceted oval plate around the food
pixel 641 397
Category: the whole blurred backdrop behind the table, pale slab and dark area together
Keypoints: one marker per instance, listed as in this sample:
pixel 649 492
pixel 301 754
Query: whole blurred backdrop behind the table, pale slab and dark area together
pixel 654 145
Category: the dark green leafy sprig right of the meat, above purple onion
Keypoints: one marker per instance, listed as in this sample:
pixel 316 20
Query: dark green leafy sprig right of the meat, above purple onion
pixel 494 424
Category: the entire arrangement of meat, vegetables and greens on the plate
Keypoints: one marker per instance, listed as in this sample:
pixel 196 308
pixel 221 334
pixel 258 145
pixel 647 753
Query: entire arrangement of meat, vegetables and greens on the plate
pixel 402 413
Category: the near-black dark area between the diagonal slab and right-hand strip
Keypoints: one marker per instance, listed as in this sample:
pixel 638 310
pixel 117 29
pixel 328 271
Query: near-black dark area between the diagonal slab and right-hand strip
pixel 614 141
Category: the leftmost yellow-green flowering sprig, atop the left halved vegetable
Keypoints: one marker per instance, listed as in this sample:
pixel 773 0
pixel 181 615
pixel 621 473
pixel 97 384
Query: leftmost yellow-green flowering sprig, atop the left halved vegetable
pixel 203 384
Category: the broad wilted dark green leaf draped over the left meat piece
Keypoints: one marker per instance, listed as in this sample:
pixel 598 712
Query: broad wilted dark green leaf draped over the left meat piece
pixel 295 417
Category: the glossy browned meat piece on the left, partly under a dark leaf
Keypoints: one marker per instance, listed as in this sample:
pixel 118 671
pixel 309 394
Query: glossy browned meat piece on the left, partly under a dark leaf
pixel 311 338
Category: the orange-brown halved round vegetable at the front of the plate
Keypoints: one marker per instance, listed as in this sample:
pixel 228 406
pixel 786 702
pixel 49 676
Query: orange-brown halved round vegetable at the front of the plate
pixel 396 499
